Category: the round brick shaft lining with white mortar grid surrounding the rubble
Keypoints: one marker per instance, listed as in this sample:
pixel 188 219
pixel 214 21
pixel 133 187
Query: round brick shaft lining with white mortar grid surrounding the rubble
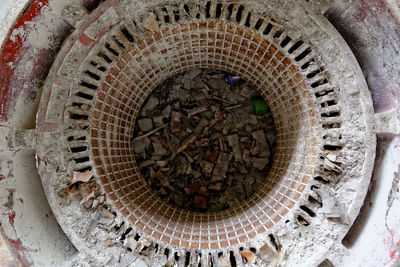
pixel 170 51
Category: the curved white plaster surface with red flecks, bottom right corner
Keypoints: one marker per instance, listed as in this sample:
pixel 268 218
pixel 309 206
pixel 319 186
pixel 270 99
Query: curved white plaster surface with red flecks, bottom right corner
pixel 372 246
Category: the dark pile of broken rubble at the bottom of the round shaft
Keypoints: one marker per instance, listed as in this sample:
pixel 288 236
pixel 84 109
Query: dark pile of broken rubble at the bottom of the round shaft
pixel 199 144
